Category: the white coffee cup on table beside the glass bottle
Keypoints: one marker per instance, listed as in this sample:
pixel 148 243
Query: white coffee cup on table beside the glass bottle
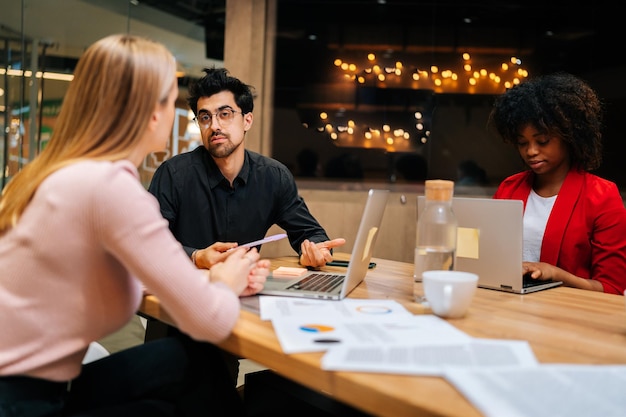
pixel 449 293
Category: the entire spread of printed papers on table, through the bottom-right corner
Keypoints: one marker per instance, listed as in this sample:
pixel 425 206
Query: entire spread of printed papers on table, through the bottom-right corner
pixel 500 377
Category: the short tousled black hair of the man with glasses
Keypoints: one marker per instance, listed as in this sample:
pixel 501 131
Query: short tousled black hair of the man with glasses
pixel 217 80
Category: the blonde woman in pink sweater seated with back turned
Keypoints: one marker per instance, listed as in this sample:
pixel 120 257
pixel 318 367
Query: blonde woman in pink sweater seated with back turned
pixel 80 239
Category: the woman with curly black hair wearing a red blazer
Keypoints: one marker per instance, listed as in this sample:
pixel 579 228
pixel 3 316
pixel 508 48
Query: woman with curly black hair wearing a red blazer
pixel 574 221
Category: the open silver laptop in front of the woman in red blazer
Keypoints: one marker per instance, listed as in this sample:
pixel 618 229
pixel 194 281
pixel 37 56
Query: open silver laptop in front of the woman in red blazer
pixel 490 242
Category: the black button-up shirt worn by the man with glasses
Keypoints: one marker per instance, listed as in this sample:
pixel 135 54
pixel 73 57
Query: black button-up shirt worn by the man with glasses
pixel 202 208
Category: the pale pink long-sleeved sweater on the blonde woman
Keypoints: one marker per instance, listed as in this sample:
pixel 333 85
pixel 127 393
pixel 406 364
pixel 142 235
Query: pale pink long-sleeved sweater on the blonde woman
pixel 72 271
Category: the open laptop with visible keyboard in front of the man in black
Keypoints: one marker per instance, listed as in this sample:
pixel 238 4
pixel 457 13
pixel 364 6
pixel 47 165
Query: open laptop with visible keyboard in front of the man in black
pixel 332 285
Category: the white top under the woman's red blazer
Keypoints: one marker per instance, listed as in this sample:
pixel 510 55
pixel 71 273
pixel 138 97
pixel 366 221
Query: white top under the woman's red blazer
pixel 535 218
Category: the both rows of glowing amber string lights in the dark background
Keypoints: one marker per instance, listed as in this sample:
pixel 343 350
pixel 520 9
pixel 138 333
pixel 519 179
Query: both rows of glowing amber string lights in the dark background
pixel 389 104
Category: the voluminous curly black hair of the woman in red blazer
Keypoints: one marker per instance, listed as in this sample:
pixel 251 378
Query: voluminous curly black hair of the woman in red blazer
pixel 558 104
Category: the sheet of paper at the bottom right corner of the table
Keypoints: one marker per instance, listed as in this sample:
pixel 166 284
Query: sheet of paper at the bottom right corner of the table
pixel 548 390
